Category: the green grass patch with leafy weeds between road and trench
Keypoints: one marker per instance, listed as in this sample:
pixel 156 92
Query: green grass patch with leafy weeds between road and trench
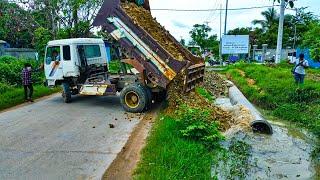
pixel 182 145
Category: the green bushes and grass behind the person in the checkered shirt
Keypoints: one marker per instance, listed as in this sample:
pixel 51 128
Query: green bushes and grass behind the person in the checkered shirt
pixel 11 90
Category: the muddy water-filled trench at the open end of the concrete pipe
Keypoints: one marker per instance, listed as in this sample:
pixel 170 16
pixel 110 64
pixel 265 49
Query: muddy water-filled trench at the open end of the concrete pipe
pixel 289 153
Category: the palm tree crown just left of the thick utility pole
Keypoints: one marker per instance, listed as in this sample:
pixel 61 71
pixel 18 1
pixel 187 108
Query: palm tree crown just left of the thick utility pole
pixel 271 17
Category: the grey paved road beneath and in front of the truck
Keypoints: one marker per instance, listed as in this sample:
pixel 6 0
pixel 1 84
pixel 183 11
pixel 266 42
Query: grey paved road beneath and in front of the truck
pixel 53 140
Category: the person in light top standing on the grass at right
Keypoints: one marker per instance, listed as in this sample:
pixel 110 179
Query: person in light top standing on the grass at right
pixel 299 71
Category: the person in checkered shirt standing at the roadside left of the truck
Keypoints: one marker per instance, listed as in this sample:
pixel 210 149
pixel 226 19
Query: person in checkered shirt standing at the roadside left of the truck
pixel 27 82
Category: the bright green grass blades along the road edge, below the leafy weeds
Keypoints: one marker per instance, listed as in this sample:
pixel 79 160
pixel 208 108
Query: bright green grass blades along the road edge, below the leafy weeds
pixel 168 156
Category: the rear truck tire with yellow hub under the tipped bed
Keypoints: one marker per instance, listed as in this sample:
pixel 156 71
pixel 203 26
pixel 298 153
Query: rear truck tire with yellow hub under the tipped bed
pixel 134 98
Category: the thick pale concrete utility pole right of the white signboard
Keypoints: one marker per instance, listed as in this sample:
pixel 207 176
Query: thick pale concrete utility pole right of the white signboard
pixel 280 32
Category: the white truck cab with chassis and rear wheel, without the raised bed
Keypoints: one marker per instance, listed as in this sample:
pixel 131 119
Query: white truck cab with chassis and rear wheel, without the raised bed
pixel 81 67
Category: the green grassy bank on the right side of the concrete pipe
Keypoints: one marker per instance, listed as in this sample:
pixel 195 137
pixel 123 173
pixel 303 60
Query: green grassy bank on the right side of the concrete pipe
pixel 273 89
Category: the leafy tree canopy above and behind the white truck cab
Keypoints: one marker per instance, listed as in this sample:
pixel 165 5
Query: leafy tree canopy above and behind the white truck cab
pixel 31 23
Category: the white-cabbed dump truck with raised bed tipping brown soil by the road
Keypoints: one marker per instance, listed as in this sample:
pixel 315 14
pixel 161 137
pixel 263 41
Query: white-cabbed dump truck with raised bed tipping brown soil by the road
pixel 81 67
